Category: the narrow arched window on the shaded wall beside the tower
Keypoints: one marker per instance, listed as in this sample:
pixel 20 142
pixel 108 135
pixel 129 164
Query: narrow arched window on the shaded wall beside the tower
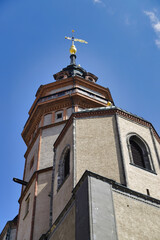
pixel 64 166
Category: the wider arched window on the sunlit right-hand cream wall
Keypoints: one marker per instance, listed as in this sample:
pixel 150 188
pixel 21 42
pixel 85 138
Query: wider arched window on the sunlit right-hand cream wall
pixel 139 152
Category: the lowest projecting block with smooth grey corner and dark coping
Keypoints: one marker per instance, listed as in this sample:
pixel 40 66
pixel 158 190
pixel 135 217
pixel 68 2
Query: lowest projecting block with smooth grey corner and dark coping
pixel 102 209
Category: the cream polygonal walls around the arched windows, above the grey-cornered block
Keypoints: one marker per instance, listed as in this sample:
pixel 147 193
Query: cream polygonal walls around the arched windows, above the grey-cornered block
pixel 100 144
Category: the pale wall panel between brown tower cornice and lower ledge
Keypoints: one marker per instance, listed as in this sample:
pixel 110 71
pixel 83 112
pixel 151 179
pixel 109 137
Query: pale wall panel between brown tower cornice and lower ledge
pixel 49 136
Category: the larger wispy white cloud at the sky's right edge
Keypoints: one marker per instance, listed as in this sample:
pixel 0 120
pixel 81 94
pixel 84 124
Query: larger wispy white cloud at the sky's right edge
pixel 155 23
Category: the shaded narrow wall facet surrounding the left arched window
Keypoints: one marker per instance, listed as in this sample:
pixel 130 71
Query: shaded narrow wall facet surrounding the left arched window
pixel 63 195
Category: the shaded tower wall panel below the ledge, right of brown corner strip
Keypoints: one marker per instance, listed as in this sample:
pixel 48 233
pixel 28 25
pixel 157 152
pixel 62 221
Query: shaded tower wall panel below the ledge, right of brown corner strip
pixel 42 210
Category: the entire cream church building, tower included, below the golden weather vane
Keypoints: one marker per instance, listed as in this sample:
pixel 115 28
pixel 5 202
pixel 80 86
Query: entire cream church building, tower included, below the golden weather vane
pixel 92 170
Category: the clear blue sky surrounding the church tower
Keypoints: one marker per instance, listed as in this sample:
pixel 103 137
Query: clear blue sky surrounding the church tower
pixel 123 50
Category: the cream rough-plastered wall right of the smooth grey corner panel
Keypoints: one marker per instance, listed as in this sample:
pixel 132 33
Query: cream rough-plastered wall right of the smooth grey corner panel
pixel 136 219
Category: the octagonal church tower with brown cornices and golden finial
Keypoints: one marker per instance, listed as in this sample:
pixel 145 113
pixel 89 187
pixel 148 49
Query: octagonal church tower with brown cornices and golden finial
pixel 74 89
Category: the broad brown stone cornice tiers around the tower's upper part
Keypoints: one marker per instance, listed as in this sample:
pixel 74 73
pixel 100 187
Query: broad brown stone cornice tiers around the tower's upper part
pixel 40 108
